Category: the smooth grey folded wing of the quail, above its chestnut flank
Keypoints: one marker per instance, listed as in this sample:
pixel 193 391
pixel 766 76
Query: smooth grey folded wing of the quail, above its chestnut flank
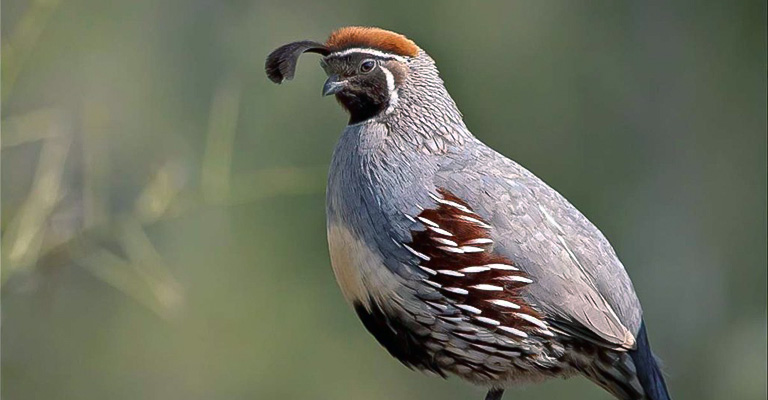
pixel 580 283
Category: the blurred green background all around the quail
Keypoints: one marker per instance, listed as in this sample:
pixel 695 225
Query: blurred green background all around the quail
pixel 163 232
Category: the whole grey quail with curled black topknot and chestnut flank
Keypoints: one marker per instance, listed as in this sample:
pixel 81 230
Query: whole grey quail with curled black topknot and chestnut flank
pixel 458 260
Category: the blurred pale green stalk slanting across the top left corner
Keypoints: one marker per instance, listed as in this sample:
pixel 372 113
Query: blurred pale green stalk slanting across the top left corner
pixel 18 47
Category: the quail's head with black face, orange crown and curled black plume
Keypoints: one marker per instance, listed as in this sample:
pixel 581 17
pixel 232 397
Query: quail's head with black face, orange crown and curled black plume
pixel 366 67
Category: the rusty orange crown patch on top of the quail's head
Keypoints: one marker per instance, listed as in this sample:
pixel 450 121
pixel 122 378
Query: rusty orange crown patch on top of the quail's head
pixel 374 38
